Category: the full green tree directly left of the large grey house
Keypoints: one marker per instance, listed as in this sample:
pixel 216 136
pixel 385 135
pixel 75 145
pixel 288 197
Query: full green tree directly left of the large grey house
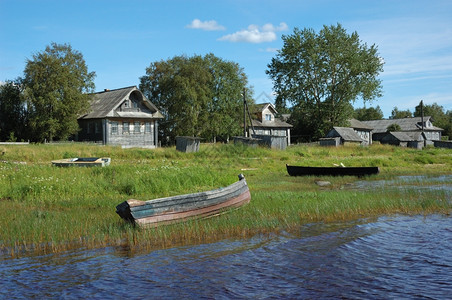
pixel 56 85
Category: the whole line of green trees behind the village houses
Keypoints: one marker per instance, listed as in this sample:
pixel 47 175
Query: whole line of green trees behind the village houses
pixel 317 76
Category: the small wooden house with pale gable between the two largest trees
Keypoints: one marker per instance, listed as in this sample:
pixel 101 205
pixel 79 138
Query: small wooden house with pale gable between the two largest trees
pixel 270 128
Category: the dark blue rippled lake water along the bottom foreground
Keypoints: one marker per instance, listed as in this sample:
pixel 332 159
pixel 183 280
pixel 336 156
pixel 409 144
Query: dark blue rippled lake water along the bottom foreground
pixel 394 257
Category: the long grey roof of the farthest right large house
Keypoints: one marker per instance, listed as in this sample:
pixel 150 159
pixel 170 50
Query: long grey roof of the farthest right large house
pixel 406 124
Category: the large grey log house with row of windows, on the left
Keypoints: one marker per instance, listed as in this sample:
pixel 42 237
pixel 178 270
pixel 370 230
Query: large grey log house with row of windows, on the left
pixel 123 117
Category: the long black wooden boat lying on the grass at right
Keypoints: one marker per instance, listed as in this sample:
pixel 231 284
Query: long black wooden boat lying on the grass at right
pixel 331 171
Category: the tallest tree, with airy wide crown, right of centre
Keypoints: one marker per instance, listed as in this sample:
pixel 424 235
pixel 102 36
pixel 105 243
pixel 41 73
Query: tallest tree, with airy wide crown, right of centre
pixel 321 74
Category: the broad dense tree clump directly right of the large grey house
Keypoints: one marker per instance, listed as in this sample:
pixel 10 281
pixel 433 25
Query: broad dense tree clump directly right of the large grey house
pixel 199 96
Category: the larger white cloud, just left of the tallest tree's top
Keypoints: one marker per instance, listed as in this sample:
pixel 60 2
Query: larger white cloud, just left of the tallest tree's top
pixel 255 34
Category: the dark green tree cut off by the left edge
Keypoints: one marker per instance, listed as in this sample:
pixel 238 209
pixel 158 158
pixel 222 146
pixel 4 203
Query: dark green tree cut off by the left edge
pixel 12 112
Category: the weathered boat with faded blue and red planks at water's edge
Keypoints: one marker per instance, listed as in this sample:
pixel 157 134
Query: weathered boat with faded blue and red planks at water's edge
pixel 167 210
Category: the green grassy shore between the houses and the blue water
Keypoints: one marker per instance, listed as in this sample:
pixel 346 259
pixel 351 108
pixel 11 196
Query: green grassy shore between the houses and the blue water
pixel 48 209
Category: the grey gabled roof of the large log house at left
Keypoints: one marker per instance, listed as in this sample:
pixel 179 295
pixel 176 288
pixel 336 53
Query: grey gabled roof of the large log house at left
pixel 104 104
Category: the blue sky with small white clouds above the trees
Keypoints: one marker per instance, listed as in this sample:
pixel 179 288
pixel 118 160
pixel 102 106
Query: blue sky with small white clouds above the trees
pixel 119 39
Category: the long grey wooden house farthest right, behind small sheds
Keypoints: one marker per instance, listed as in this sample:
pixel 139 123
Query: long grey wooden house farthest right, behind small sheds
pixel 409 126
